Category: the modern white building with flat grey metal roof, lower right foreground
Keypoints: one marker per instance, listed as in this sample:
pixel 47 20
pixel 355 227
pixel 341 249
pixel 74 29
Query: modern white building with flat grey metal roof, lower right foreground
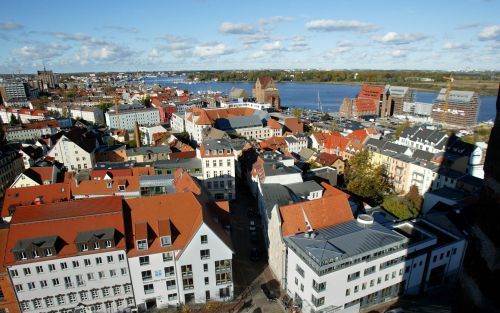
pixel 365 263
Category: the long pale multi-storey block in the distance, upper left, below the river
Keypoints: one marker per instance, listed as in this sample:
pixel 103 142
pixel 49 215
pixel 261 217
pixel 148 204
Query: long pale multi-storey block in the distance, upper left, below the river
pixel 127 115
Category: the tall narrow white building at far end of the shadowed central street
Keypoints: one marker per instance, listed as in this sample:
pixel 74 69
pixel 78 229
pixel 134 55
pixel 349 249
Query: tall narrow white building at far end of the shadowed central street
pixel 218 160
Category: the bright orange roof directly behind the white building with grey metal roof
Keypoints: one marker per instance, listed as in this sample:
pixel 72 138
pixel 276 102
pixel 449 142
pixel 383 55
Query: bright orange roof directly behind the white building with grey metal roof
pixel 330 210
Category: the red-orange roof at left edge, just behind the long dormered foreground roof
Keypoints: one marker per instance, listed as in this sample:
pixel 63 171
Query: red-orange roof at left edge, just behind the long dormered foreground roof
pixel 26 195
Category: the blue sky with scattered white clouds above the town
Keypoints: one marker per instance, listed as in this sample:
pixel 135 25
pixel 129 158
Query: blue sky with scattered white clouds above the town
pixel 111 35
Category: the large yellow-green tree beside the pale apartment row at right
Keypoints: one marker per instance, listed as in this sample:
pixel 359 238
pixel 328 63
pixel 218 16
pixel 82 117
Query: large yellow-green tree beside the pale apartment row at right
pixel 365 179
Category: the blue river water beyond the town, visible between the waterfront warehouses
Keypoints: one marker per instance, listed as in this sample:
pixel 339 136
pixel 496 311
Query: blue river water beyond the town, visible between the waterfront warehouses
pixel 305 95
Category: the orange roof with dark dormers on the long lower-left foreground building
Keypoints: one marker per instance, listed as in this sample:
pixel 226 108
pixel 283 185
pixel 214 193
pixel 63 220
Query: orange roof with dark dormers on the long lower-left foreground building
pixel 66 220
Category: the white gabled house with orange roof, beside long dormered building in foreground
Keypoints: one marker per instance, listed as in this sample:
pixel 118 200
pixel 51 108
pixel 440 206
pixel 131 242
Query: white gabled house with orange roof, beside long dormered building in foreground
pixel 192 264
